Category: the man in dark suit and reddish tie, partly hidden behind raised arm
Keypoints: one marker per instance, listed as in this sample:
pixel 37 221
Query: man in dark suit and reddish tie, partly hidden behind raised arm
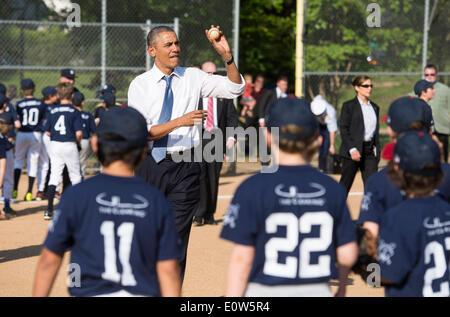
pixel 221 114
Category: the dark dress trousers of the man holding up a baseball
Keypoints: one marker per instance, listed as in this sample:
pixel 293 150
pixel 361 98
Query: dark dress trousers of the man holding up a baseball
pixel 179 182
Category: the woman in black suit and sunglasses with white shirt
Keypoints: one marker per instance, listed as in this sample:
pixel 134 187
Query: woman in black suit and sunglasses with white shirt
pixel 360 148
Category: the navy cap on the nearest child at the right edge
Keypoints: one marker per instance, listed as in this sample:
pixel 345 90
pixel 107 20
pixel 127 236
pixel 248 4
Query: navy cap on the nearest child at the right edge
pixel 414 151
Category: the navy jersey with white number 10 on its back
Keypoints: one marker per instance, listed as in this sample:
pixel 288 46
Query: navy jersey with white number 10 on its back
pixel 30 112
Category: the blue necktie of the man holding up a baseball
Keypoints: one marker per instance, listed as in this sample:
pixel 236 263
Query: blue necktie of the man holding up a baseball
pixel 160 146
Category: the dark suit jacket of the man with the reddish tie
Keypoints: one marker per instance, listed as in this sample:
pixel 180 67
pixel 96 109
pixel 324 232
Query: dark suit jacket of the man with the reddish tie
pixel 226 116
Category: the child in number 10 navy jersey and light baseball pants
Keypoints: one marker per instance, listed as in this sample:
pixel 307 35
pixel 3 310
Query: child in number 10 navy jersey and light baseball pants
pixel 29 137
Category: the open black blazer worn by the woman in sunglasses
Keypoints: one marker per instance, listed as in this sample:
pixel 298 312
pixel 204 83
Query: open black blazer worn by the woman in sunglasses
pixel 351 125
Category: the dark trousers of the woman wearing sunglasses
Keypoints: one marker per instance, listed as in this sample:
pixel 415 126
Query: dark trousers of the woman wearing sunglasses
pixel 368 165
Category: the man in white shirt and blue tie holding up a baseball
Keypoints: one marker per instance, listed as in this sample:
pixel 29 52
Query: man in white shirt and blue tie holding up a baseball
pixel 167 96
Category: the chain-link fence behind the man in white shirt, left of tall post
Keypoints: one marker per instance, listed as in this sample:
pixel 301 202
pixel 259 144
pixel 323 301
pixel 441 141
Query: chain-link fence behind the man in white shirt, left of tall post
pixel 38 41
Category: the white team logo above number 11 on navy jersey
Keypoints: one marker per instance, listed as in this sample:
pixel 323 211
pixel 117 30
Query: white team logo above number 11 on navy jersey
pixel 115 206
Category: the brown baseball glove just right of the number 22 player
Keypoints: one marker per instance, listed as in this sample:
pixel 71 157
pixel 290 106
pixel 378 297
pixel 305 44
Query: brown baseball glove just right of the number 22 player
pixel 367 251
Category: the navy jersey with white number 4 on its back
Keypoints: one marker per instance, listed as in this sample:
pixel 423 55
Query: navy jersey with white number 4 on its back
pixel 62 122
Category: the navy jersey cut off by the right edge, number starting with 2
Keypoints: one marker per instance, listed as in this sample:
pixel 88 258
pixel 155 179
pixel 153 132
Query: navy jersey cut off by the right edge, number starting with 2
pixel 414 248
